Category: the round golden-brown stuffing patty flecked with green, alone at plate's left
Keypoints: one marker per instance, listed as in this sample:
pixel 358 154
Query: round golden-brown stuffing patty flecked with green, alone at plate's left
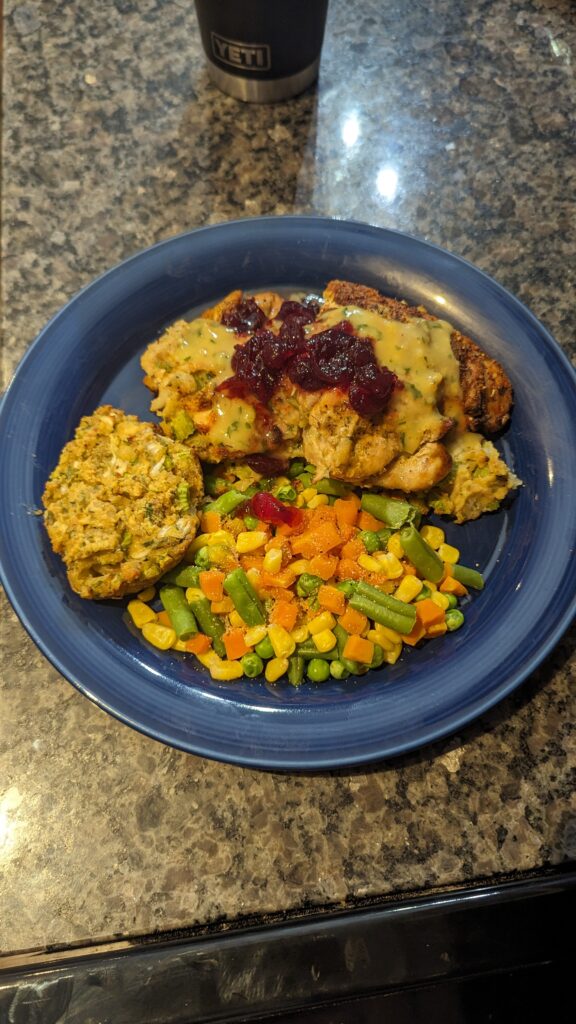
pixel 120 506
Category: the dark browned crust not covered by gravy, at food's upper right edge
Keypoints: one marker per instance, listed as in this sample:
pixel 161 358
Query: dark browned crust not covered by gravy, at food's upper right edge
pixel 486 390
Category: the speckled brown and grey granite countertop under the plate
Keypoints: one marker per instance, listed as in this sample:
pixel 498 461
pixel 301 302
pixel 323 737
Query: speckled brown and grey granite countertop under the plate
pixel 450 121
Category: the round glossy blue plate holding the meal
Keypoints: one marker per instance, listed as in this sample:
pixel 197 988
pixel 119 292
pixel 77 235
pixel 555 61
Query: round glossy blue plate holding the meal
pixel 89 355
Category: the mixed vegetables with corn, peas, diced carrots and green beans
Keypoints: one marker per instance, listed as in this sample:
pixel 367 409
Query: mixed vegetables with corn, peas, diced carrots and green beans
pixel 302 580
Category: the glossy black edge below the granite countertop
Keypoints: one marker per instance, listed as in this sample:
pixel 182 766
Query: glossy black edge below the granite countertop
pixel 468 951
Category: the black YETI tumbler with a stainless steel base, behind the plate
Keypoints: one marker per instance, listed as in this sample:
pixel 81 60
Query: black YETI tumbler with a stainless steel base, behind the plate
pixel 263 51
